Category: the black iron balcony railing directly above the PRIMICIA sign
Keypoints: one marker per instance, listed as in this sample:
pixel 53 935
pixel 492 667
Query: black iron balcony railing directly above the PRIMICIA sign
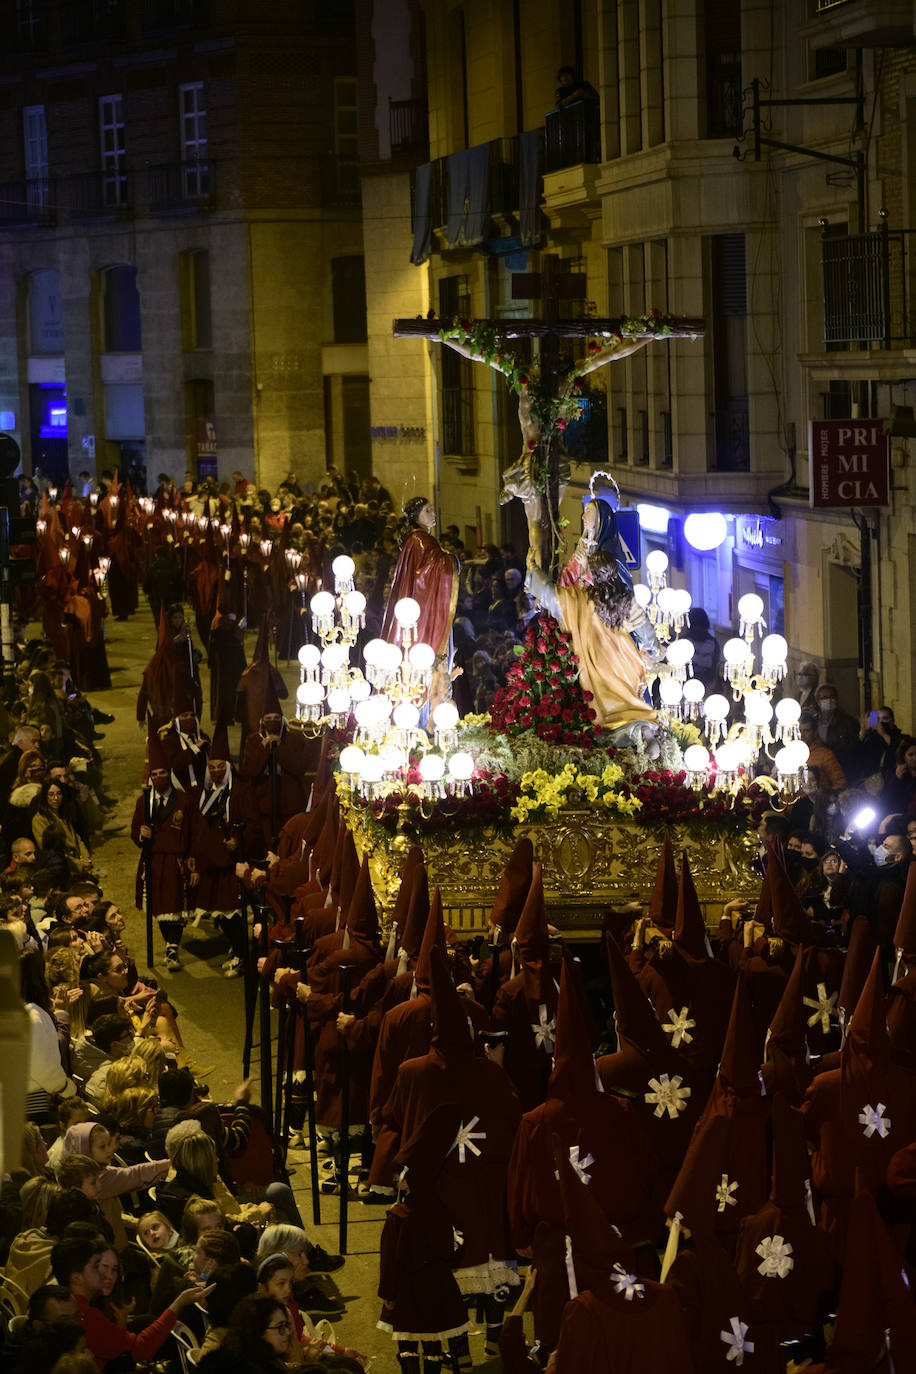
pixel 866 288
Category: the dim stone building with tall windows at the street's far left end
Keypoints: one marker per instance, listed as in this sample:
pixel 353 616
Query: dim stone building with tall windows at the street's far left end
pixel 182 273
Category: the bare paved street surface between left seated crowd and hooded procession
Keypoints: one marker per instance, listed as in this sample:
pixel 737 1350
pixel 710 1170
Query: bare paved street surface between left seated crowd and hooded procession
pixel 211 1008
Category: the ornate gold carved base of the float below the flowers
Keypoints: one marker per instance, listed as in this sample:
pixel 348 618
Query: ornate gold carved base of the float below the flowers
pixel 588 866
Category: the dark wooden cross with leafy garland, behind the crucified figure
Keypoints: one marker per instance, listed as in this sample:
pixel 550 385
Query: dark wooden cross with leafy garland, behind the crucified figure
pixel 551 288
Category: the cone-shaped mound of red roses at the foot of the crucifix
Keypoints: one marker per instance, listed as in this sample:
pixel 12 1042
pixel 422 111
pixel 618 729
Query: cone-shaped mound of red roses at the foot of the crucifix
pixel 543 692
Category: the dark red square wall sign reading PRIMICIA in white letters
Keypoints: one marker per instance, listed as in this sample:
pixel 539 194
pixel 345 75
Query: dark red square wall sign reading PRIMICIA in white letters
pixel 851 464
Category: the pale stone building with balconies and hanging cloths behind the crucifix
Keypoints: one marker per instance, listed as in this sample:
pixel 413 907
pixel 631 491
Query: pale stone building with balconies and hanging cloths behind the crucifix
pixel 687 186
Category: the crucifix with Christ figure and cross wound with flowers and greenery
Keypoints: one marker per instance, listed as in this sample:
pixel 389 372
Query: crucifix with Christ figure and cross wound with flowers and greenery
pixel 549 391
